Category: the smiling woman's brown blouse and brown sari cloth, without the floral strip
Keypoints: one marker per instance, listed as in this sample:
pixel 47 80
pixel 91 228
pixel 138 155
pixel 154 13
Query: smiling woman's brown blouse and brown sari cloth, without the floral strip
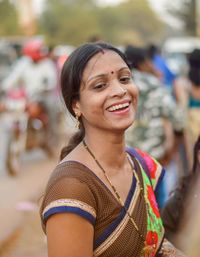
pixel 74 188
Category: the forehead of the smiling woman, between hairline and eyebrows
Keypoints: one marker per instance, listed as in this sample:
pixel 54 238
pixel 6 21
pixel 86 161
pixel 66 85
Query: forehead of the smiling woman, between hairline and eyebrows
pixel 103 63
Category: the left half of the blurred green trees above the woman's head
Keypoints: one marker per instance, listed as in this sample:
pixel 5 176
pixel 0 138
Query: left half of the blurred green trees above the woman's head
pixel 69 22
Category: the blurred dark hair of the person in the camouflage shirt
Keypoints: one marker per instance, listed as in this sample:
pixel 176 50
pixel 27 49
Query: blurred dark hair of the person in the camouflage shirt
pixel 135 56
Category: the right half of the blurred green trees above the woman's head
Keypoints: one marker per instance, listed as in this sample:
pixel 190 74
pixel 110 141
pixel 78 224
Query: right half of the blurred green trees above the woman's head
pixel 131 22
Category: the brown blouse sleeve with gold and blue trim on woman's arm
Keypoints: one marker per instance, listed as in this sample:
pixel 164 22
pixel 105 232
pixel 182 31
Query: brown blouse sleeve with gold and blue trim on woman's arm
pixel 68 194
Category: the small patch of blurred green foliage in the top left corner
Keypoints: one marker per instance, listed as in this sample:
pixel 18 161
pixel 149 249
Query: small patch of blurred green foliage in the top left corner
pixel 8 19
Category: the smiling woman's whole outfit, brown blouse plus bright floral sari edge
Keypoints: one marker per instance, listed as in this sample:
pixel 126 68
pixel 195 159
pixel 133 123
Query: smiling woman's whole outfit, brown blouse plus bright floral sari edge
pixel 74 188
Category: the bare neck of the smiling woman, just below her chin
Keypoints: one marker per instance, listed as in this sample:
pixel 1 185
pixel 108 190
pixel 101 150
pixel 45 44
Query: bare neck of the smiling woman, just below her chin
pixel 108 149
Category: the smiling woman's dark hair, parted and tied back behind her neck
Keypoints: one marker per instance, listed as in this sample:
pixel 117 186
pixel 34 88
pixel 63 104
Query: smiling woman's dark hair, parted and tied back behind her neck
pixel 71 78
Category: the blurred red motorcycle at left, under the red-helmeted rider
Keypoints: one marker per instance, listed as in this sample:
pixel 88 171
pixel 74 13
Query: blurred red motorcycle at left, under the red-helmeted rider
pixel 29 128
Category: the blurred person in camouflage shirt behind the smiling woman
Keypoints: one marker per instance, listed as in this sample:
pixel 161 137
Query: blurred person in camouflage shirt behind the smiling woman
pixel 158 118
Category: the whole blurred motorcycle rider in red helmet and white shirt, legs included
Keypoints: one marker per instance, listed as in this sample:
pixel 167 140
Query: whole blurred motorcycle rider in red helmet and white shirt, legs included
pixel 36 73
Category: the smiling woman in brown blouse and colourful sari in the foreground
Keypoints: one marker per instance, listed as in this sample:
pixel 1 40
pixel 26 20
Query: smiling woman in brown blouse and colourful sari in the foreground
pixel 99 200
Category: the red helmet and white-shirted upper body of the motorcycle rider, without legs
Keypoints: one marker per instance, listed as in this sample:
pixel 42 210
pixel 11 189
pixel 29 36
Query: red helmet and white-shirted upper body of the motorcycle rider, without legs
pixel 34 71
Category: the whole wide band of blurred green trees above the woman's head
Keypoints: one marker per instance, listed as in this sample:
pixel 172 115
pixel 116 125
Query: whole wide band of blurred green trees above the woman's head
pixel 76 21
